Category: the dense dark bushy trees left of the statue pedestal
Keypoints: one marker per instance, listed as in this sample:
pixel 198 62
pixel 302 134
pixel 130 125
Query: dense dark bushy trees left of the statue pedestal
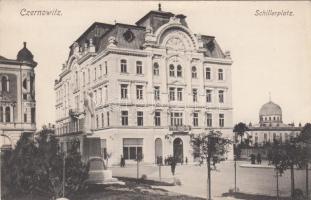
pixel 36 165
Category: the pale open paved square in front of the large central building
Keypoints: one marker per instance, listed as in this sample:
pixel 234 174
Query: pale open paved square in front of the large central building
pixel 193 179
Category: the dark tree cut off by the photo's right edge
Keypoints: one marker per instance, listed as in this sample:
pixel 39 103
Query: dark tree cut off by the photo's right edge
pixel 305 139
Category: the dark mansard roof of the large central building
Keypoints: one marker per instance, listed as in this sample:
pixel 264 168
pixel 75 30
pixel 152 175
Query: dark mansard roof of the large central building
pixel 100 33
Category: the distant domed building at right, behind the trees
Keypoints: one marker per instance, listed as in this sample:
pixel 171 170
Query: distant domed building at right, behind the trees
pixel 271 126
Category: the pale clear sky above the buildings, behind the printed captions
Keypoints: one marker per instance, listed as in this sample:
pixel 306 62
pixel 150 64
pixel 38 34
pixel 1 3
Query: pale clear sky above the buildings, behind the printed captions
pixel 270 54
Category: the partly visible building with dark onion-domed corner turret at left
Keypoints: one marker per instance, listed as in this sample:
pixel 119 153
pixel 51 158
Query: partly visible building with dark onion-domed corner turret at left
pixel 17 97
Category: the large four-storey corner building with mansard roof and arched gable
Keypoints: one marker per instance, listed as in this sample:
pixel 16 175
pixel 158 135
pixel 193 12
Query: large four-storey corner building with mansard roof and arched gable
pixel 143 88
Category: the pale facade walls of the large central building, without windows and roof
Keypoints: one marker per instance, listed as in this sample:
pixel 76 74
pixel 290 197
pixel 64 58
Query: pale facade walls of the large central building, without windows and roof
pixel 109 99
